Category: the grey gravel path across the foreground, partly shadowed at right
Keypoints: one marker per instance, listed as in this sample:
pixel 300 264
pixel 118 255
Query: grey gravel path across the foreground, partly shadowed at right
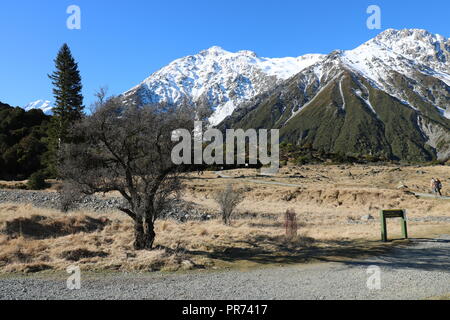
pixel 413 272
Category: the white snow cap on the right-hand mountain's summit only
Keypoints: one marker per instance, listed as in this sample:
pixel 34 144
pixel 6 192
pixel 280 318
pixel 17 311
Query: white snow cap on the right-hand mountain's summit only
pixel 413 54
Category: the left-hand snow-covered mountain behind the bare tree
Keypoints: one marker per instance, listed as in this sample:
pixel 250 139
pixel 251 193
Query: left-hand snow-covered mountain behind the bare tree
pixel 220 79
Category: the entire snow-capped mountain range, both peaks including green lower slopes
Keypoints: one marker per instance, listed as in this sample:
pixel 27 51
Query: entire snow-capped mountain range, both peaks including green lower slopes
pixel 388 97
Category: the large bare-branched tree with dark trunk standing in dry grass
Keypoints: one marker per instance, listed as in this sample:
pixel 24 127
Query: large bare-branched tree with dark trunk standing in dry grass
pixel 126 149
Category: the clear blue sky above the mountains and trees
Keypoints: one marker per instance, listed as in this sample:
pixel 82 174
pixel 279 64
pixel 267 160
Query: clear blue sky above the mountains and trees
pixel 122 42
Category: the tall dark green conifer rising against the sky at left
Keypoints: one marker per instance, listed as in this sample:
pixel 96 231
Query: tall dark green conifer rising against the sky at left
pixel 68 107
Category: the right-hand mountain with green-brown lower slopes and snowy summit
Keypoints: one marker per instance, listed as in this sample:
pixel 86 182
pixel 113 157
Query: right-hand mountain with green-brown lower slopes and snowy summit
pixel 389 97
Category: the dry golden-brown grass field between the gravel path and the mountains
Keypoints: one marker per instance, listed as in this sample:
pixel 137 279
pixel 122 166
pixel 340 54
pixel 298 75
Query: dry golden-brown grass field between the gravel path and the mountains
pixel 329 201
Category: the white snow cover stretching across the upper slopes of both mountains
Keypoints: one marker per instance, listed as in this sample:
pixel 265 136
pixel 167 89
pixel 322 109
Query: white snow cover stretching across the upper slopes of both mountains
pixel 224 81
